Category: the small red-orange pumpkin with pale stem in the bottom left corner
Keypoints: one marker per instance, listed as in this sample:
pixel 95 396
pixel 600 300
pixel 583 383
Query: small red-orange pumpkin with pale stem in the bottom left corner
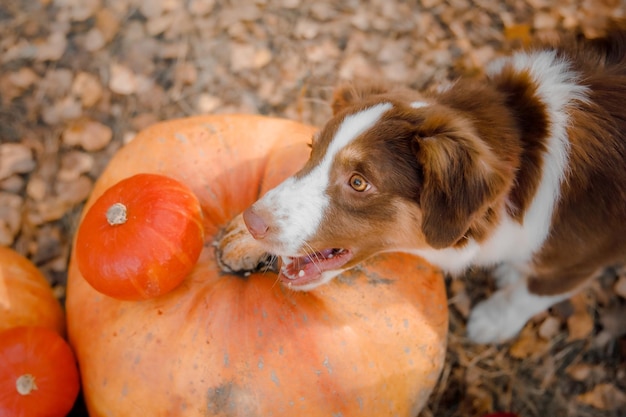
pixel 38 373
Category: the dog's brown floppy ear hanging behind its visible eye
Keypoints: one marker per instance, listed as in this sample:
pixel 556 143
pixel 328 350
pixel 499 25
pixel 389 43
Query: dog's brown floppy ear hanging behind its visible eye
pixel 460 176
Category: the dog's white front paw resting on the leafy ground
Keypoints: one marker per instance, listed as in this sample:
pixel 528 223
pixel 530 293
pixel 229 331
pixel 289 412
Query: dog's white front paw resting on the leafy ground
pixel 495 320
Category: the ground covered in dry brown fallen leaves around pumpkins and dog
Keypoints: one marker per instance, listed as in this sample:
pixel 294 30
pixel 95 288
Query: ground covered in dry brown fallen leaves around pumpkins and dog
pixel 79 78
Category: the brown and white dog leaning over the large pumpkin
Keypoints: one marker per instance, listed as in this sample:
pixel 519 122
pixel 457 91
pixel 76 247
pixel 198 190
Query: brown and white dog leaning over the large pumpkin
pixel 524 170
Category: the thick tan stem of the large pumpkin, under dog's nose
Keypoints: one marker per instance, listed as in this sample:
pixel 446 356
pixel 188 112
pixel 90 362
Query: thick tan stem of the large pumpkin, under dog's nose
pixel 237 251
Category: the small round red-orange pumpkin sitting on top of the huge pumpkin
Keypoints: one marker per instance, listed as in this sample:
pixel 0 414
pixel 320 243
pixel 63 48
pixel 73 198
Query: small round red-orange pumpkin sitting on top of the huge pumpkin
pixel 141 238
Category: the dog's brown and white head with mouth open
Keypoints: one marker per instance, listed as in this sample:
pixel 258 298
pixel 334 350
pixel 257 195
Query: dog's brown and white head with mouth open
pixel 390 171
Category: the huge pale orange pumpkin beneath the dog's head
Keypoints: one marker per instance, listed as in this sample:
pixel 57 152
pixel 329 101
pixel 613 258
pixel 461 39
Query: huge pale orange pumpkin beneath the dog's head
pixel 369 343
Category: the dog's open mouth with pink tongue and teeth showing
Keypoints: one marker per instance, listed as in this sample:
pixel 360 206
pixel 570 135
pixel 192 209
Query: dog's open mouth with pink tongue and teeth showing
pixel 303 270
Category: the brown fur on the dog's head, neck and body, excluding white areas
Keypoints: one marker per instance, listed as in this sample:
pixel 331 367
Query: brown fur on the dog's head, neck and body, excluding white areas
pixel 444 171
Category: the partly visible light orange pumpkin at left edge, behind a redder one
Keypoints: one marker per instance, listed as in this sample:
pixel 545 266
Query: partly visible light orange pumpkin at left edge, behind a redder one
pixel 26 298
